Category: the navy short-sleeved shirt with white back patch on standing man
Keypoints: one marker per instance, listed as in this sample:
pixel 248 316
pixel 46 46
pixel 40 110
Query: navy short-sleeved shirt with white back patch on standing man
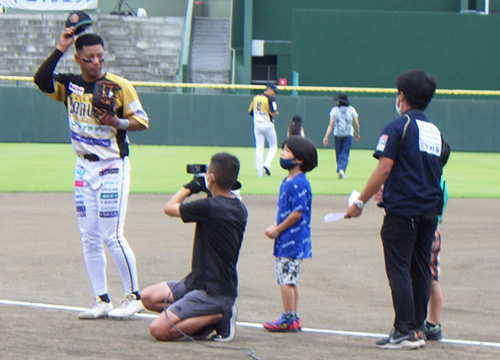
pixel 414 143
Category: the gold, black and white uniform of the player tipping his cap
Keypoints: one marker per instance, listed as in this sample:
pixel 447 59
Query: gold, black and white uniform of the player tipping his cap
pixel 102 169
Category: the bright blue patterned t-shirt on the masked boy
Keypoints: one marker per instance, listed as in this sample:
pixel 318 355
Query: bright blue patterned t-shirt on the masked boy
pixel 294 242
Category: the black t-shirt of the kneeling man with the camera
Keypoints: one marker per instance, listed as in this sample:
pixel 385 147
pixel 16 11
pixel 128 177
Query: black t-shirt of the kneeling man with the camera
pixel 220 224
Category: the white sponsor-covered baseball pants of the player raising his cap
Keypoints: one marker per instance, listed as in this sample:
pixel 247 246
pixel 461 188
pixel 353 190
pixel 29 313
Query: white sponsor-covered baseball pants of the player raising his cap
pixel 100 195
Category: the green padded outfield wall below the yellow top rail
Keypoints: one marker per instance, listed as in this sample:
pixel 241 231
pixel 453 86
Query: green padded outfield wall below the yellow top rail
pixel 27 115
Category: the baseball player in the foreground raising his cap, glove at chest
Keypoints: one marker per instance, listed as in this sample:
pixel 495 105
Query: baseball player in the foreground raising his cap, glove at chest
pixel 102 180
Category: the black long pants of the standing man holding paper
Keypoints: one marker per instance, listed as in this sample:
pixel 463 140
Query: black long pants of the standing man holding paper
pixel 407 243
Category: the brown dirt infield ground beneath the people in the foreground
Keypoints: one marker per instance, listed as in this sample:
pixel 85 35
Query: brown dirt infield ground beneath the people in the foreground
pixel 343 287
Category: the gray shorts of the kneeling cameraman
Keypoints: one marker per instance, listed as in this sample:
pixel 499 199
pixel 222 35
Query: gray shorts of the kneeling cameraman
pixel 194 303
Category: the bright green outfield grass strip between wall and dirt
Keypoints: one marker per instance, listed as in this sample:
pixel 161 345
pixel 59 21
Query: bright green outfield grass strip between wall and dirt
pixel 161 169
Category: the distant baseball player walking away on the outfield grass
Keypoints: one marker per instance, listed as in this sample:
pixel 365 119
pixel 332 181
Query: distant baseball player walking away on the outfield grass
pixel 263 108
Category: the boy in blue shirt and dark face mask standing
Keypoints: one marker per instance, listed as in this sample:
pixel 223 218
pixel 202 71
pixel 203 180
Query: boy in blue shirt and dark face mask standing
pixel 292 230
